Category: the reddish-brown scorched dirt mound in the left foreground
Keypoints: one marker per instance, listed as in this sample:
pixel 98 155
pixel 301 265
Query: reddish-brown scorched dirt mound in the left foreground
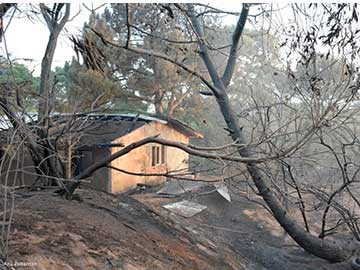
pixel 103 232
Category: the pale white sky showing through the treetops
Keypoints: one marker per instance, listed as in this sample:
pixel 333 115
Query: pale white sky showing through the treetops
pixel 27 40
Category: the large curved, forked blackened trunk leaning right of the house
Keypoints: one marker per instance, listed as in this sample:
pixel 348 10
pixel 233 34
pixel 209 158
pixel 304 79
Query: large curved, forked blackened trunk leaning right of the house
pixel 323 249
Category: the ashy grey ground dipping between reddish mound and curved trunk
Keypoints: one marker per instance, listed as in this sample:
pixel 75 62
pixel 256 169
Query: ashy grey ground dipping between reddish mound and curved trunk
pixel 247 230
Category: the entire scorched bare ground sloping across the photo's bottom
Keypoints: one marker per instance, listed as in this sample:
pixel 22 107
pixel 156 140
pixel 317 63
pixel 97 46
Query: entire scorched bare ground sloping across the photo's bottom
pixel 104 231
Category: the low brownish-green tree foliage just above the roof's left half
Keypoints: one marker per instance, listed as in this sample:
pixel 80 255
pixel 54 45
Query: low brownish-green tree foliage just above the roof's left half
pixel 81 89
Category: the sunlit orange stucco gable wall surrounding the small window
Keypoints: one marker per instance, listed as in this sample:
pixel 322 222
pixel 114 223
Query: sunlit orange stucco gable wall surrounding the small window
pixel 139 160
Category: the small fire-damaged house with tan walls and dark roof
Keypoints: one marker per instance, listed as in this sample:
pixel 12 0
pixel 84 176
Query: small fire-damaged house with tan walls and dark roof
pixel 92 137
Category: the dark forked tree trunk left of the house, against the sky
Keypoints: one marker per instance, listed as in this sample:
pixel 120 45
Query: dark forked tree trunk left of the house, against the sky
pixel 43 152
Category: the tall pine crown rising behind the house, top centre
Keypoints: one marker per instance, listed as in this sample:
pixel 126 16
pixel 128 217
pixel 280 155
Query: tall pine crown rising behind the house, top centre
pixel 155 82
